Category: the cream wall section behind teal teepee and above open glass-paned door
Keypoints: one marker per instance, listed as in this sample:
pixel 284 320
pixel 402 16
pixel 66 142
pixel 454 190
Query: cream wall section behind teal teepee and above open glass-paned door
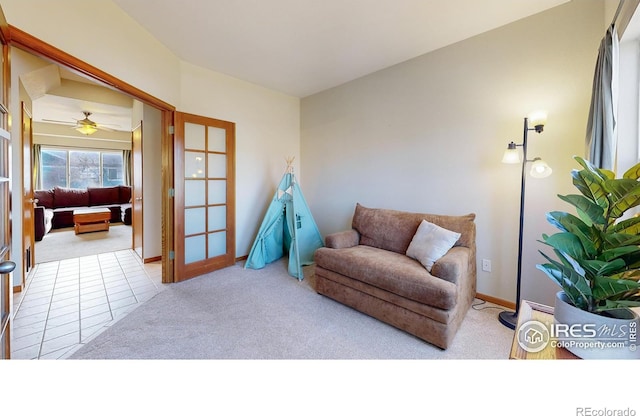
pixel 267 132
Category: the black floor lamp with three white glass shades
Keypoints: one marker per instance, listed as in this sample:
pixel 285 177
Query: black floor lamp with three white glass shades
pixel 539 169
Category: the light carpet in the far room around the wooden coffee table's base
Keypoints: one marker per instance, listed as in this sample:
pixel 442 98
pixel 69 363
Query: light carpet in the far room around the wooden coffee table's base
pixel 65 244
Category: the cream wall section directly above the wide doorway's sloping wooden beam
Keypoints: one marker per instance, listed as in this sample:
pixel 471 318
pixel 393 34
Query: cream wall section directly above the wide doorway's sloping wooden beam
pixel 101 34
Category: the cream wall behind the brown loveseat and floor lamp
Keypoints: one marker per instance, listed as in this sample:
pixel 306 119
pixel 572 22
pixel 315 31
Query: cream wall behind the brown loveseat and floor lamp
pixel 427 135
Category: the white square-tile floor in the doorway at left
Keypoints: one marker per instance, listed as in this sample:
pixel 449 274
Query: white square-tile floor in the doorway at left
pixel 67 303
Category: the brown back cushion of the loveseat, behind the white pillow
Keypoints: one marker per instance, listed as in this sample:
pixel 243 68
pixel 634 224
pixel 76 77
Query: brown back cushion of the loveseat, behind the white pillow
pixel 393 230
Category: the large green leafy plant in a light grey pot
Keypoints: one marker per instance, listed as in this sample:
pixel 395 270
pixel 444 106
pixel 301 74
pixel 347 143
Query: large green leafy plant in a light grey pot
pixel 598 257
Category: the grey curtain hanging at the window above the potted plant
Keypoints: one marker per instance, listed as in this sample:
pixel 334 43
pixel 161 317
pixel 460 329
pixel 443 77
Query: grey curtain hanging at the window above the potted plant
pixel 601 140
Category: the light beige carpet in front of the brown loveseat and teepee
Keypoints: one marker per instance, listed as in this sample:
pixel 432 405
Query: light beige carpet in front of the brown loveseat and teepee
pixel 238 313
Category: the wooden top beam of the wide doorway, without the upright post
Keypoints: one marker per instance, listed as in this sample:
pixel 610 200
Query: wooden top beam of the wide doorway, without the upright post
pixel 23 40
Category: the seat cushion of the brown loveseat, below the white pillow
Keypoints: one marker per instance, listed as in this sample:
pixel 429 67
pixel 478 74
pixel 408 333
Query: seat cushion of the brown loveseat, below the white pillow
pixel 390 271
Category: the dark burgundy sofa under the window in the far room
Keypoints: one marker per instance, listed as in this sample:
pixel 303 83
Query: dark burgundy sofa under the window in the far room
pixel 54 207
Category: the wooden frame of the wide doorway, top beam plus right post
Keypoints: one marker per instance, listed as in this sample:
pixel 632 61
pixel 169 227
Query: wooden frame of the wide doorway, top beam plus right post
pixel 35 46
